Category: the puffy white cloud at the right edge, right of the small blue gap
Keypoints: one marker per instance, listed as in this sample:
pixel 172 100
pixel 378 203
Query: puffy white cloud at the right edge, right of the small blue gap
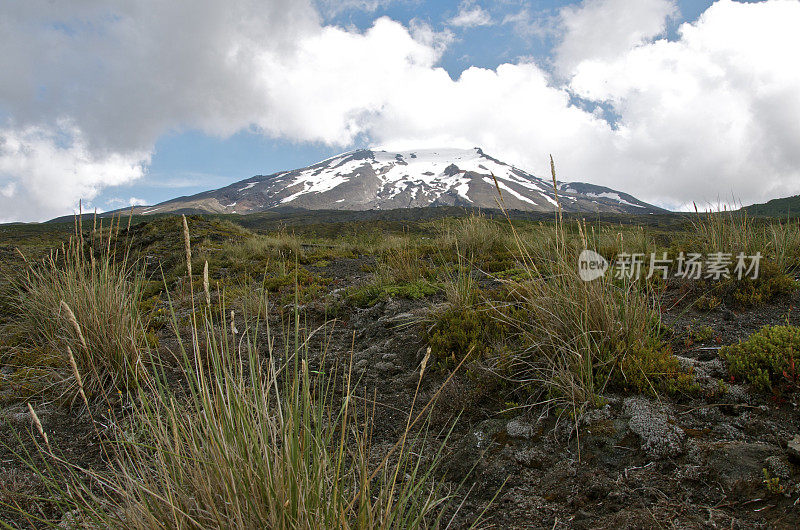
pixel 714 115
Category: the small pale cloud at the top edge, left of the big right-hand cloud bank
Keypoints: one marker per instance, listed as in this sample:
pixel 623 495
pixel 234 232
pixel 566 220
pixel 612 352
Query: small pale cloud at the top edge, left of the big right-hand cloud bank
pixel 603 29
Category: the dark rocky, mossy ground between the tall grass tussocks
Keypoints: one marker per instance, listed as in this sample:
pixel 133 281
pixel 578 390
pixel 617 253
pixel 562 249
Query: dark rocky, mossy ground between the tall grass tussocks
pixel 716 453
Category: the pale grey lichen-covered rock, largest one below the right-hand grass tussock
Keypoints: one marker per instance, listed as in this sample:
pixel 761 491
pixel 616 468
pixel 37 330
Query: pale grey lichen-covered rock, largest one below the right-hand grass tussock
pixel 660 437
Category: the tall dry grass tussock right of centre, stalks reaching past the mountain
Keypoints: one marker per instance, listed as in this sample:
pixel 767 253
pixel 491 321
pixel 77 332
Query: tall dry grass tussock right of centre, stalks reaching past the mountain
pixel 578 338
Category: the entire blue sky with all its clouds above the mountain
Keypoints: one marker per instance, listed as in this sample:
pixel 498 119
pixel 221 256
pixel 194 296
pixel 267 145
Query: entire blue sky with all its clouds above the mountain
pixel 673 101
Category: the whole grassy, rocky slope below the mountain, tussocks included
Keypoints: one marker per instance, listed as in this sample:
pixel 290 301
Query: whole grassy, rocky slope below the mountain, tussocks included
pixel 427 368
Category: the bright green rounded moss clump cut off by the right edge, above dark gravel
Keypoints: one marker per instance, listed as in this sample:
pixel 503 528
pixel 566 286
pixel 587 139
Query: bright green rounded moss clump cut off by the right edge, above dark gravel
pixel 765 358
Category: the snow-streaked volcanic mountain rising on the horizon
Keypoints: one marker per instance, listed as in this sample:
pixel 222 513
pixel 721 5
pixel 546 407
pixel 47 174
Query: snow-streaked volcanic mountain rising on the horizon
pixel 373 179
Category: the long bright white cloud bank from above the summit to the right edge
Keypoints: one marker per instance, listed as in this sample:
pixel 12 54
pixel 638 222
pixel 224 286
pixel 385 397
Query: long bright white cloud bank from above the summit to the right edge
pixel 711 116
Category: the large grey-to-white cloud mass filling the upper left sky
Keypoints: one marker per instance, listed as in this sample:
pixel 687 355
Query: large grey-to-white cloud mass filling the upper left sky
pixel 124 73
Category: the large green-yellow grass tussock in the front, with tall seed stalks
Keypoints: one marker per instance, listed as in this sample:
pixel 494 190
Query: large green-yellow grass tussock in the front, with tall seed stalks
pixel 252 437
